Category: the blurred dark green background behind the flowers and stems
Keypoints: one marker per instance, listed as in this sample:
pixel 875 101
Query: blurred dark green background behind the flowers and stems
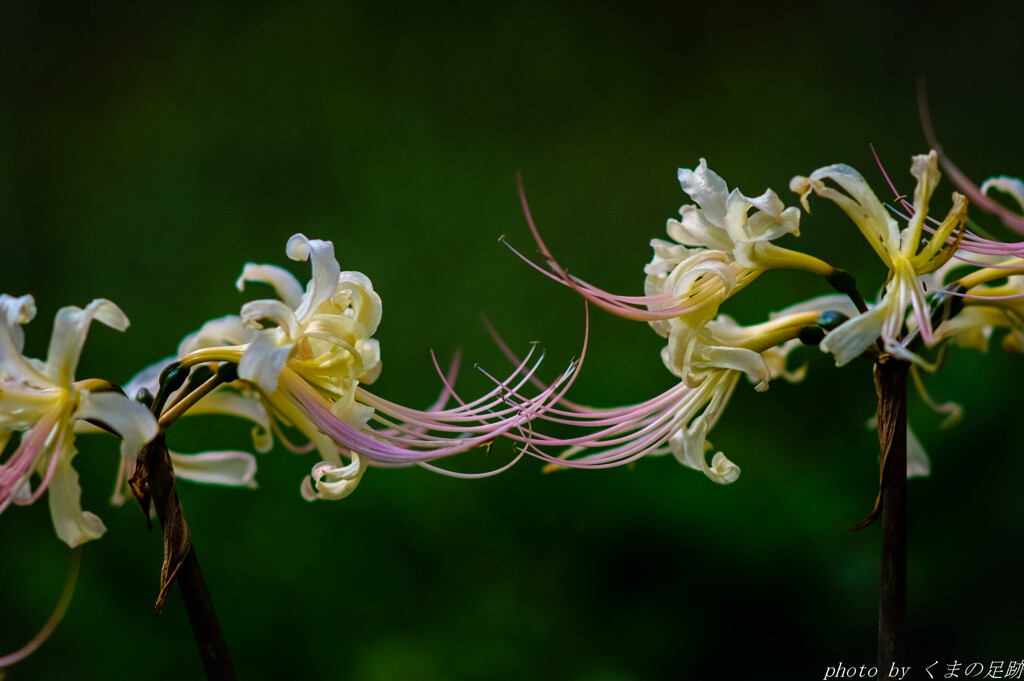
pixel 147 153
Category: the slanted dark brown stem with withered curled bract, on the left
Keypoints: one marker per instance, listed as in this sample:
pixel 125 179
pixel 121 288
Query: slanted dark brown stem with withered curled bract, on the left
pixel 181 564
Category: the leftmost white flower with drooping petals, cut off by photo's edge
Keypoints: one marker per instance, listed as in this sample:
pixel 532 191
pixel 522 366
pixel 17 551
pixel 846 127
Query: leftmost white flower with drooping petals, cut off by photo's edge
pixel 45 403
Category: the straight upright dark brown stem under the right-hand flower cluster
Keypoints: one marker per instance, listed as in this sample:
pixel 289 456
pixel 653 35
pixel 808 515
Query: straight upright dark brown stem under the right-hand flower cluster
pixel 891 378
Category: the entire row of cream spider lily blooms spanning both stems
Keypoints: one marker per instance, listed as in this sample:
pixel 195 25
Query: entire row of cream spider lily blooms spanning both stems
pixel 305 360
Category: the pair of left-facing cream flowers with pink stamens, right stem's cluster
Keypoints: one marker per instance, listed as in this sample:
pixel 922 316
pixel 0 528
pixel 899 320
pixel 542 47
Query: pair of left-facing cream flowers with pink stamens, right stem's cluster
pixel 721 244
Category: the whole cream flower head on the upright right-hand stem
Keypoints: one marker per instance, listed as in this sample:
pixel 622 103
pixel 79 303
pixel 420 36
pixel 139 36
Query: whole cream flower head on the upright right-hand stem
pixel 723 242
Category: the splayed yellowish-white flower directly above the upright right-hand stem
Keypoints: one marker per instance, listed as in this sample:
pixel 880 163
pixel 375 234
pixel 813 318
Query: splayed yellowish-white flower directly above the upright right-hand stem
pixel 903 251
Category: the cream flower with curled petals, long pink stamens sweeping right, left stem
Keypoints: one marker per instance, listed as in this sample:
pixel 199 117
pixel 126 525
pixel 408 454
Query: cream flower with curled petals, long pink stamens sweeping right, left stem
pixel 309 368
